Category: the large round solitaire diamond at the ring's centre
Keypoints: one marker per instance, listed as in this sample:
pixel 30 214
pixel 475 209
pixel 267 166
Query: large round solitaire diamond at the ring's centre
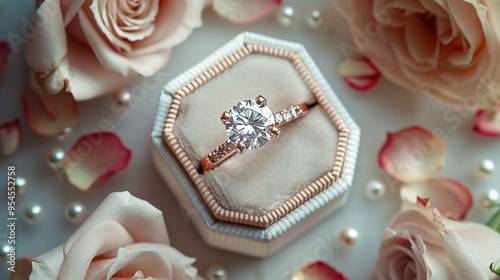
pixel 250 123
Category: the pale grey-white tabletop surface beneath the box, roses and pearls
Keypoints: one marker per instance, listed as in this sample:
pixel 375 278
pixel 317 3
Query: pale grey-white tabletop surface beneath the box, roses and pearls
pixel 384 108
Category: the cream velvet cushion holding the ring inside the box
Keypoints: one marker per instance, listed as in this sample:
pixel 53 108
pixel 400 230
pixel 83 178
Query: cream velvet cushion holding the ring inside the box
pixel 260 180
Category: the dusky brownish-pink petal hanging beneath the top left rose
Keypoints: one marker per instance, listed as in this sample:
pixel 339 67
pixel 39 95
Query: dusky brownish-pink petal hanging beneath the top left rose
pixel 48 114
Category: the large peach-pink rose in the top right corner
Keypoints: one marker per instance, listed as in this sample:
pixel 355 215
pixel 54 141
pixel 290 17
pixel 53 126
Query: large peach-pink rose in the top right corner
pixel 448 48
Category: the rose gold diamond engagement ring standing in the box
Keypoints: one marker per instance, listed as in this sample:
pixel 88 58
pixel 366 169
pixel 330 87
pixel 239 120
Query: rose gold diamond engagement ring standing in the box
pixel 250 125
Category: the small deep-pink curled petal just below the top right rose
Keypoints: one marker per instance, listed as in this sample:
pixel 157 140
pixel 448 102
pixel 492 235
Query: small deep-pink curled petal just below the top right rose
pixel 359 73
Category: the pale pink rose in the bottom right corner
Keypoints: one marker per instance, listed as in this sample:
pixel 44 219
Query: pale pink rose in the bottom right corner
pixel 419 244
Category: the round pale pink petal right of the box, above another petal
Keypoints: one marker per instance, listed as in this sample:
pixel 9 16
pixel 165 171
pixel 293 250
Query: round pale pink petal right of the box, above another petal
pixel 412 154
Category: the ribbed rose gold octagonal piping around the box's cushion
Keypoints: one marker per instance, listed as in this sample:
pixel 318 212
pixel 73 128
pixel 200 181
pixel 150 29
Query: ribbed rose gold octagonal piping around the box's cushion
pixel 191 168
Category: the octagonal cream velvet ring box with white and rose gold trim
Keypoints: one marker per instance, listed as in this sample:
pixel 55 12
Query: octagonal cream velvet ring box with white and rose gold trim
pixel 257 202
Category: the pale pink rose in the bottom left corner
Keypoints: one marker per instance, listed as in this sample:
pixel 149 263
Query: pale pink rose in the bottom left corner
pixel 125 238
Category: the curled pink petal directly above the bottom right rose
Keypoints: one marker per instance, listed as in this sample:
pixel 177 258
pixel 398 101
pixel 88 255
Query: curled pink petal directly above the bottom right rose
pixel 451 198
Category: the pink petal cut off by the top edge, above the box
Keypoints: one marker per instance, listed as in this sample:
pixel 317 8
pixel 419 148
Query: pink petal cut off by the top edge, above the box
pixel 244 12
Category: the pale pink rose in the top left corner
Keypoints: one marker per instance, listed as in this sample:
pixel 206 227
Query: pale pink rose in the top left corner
pixel 95 47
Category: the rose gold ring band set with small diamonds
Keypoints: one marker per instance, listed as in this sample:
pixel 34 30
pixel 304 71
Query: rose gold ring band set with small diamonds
pixel 228 149
